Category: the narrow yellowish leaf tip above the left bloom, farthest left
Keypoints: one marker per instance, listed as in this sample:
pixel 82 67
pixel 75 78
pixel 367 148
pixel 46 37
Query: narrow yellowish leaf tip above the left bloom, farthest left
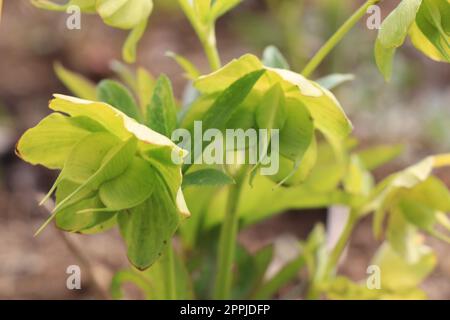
pixel 79 85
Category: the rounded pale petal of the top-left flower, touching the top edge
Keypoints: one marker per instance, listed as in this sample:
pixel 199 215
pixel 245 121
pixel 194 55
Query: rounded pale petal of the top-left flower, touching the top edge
pixel 124 14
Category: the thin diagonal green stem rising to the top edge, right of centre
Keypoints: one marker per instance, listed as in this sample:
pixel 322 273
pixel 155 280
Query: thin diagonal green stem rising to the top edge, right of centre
pixel 336 38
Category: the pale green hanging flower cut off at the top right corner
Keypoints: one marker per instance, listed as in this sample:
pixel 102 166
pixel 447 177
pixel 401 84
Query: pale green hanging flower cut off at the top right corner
pixel 427 22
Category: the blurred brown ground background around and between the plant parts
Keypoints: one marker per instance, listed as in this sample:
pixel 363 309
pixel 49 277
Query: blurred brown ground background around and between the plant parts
pixel 414 109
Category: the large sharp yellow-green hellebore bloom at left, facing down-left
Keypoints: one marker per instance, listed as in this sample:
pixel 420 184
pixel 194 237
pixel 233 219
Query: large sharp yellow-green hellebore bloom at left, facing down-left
pixel 113 169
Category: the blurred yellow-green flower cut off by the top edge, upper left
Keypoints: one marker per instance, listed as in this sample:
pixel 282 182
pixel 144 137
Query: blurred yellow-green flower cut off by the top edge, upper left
pixel 122 14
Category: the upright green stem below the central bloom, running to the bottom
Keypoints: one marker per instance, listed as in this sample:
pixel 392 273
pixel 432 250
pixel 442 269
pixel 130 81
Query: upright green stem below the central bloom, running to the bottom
pixel 227 241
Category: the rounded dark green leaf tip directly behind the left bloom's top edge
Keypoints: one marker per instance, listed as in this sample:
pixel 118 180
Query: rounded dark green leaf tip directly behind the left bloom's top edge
pixel 117 95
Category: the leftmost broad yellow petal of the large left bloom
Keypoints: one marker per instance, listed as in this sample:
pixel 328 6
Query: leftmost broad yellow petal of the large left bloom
pixel 50 142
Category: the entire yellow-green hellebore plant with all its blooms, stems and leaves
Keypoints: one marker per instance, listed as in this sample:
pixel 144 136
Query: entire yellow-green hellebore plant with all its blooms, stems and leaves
pixel 120 164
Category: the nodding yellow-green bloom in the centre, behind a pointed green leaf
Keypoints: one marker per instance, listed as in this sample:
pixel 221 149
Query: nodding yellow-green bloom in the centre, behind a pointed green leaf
pixel 280 99
